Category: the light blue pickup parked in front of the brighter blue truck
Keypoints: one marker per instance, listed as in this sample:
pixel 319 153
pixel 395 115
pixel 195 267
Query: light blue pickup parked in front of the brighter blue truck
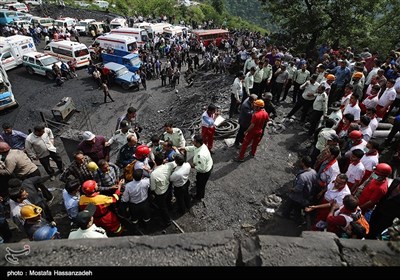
pixel 121 75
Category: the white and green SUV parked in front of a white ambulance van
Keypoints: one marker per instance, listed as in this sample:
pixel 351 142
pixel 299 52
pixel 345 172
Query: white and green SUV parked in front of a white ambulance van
pixel 40 63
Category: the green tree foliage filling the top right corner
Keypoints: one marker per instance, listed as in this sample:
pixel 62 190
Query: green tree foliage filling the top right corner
pixel 304 24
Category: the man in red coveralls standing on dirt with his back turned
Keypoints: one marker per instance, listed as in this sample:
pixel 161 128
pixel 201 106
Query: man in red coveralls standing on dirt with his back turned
pixel 254 132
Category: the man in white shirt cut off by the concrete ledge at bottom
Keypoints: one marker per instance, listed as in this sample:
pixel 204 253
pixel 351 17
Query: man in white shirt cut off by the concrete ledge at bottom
pixel 87 229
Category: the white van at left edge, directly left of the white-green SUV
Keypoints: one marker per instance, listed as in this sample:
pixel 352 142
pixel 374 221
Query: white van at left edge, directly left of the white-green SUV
pixel 12 49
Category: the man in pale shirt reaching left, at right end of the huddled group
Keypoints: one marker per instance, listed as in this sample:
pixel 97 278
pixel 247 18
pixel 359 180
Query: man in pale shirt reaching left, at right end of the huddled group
pixel 202 162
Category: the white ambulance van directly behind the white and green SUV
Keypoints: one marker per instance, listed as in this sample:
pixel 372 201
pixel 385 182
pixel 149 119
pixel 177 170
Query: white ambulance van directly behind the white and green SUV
pixel 68 51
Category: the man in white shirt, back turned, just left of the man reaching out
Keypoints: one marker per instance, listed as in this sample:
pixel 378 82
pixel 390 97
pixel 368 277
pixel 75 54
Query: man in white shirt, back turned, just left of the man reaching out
pixel 181 183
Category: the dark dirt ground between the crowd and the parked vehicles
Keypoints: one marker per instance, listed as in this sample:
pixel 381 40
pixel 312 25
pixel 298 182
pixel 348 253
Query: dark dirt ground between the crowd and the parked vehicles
pixel 235 193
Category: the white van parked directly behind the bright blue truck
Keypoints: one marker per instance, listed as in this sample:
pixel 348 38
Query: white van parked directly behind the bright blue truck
pixel 117 41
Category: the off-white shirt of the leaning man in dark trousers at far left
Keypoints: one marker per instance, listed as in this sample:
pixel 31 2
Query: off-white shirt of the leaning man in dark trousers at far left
pixel 40 146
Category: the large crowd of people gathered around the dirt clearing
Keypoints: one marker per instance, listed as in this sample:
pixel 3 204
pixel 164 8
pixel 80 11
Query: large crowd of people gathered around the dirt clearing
pixel 343 98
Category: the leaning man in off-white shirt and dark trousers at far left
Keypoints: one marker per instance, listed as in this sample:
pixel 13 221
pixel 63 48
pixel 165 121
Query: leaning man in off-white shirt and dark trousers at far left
pixel 40 145
